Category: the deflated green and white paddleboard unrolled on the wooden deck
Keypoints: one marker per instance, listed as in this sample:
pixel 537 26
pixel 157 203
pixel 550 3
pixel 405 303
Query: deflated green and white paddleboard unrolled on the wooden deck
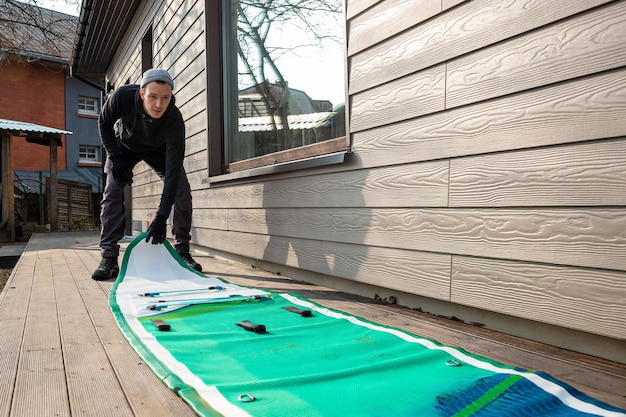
pixel 230 350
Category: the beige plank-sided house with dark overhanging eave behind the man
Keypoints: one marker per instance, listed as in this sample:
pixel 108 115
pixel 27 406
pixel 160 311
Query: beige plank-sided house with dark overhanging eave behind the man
pixel 482 176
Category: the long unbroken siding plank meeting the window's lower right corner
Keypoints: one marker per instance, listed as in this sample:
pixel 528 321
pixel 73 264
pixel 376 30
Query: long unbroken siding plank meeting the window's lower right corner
pixel 580 110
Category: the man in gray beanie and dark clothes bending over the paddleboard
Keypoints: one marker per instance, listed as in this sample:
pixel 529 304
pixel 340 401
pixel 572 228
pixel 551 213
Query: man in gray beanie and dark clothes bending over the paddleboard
pixel 142 123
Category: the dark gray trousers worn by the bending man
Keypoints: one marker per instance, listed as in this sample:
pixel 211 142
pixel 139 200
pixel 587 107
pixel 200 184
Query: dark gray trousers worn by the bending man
pixel 112 215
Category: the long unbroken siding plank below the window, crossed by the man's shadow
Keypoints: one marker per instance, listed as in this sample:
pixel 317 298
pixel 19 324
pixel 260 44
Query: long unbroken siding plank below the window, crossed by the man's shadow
pixel 583 237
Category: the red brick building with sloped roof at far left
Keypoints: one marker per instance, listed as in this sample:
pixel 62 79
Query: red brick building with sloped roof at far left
pixel 34 57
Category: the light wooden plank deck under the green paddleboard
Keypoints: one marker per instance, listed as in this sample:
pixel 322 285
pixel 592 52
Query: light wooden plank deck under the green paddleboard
pixel 62 354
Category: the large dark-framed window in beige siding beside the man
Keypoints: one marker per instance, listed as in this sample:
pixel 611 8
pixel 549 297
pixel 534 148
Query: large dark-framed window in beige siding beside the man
pixel 283 84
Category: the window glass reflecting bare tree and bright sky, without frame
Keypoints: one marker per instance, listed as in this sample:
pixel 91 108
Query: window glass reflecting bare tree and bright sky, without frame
pixel 278 41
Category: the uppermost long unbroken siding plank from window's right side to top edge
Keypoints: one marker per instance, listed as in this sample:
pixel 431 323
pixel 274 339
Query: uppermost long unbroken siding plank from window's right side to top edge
pixel 464 29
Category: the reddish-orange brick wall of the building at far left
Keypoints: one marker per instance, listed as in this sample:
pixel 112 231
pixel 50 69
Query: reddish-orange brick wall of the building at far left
pixel 35 94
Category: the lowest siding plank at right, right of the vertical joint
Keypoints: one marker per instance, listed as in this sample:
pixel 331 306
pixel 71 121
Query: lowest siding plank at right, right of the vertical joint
pixel 583 299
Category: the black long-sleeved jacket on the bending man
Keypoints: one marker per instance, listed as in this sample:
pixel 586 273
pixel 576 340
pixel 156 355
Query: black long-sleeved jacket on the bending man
pixel 123 122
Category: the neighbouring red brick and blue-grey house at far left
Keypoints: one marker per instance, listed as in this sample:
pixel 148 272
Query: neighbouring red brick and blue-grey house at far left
pixel 36 87
